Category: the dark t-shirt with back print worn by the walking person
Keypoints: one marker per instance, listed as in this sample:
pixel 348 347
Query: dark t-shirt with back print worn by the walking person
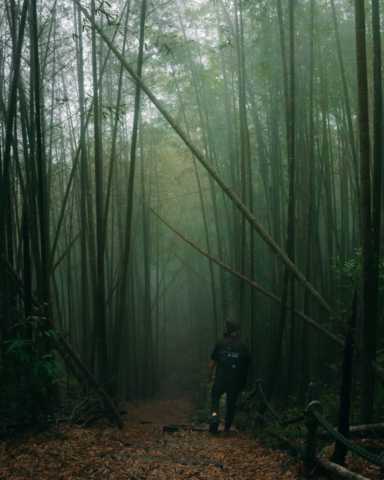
pixel 232 364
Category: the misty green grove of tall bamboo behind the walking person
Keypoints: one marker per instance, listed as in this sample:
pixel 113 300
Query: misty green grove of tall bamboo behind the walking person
pixel 165 165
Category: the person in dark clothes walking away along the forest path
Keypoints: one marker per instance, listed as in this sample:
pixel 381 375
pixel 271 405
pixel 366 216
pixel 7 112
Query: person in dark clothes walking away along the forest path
pixel 231 359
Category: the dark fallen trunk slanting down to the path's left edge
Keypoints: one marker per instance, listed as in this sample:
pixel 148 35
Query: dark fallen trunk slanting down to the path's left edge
pixel 71 352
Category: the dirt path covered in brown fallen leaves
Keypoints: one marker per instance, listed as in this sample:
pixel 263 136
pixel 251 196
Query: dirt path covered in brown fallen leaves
pixel 101 452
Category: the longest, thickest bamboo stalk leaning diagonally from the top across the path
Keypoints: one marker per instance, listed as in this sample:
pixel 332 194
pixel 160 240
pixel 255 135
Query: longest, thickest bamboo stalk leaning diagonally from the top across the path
pixel 213 172
